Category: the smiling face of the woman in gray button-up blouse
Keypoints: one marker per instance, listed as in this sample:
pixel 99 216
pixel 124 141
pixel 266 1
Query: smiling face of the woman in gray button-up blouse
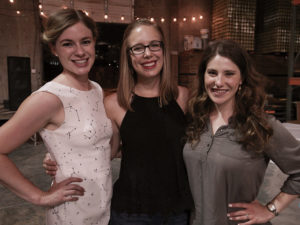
pixel 222 79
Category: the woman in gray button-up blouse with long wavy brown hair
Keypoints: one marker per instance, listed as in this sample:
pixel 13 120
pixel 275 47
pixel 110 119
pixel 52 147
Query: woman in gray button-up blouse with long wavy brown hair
pixel 230 141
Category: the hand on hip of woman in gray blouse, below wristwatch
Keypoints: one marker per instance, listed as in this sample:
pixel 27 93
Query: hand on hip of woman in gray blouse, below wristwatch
pixel 253 213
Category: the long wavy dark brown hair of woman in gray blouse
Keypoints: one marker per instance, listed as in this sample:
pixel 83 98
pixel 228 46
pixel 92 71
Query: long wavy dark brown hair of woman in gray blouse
pixel 249 119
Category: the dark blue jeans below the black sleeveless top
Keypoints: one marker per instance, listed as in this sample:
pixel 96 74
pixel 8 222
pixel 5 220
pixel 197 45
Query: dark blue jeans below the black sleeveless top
pixel 145 219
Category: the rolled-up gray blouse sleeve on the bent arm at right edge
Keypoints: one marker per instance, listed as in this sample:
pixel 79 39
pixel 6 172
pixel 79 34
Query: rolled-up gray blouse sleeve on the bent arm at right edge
pixel 284 151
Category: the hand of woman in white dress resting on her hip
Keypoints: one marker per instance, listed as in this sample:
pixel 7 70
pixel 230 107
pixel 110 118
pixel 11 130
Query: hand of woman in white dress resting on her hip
pixel 64 191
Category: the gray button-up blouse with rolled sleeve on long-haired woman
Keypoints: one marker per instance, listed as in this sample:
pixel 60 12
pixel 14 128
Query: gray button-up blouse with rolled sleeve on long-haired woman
pixel 221 172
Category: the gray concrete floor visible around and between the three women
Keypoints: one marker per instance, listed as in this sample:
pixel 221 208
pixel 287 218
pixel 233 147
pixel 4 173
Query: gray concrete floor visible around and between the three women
pixel 15 211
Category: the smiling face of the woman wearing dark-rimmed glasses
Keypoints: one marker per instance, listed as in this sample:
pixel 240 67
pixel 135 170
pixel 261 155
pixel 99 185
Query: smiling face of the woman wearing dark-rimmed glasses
pixel 148 64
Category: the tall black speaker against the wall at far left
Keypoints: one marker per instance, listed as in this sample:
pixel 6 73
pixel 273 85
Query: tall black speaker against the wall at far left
pixel 19 80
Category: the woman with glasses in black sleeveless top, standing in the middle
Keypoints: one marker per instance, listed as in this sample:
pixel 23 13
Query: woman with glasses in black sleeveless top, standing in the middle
pixel 149 110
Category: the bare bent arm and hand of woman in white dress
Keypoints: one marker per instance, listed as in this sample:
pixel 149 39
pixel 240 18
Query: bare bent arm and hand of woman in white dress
pixel 35 112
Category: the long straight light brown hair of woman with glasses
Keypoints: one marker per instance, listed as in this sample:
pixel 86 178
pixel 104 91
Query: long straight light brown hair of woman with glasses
pixel 128 77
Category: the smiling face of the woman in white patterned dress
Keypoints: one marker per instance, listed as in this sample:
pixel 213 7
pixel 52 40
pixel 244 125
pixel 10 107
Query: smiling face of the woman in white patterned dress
pixel 75 49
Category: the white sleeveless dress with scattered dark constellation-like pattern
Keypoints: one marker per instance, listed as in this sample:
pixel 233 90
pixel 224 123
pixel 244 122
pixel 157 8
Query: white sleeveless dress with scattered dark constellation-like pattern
pixel 81 148
